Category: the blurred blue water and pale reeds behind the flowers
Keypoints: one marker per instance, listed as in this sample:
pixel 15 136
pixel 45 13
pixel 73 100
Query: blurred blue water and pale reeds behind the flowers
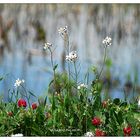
pixel 24 28
